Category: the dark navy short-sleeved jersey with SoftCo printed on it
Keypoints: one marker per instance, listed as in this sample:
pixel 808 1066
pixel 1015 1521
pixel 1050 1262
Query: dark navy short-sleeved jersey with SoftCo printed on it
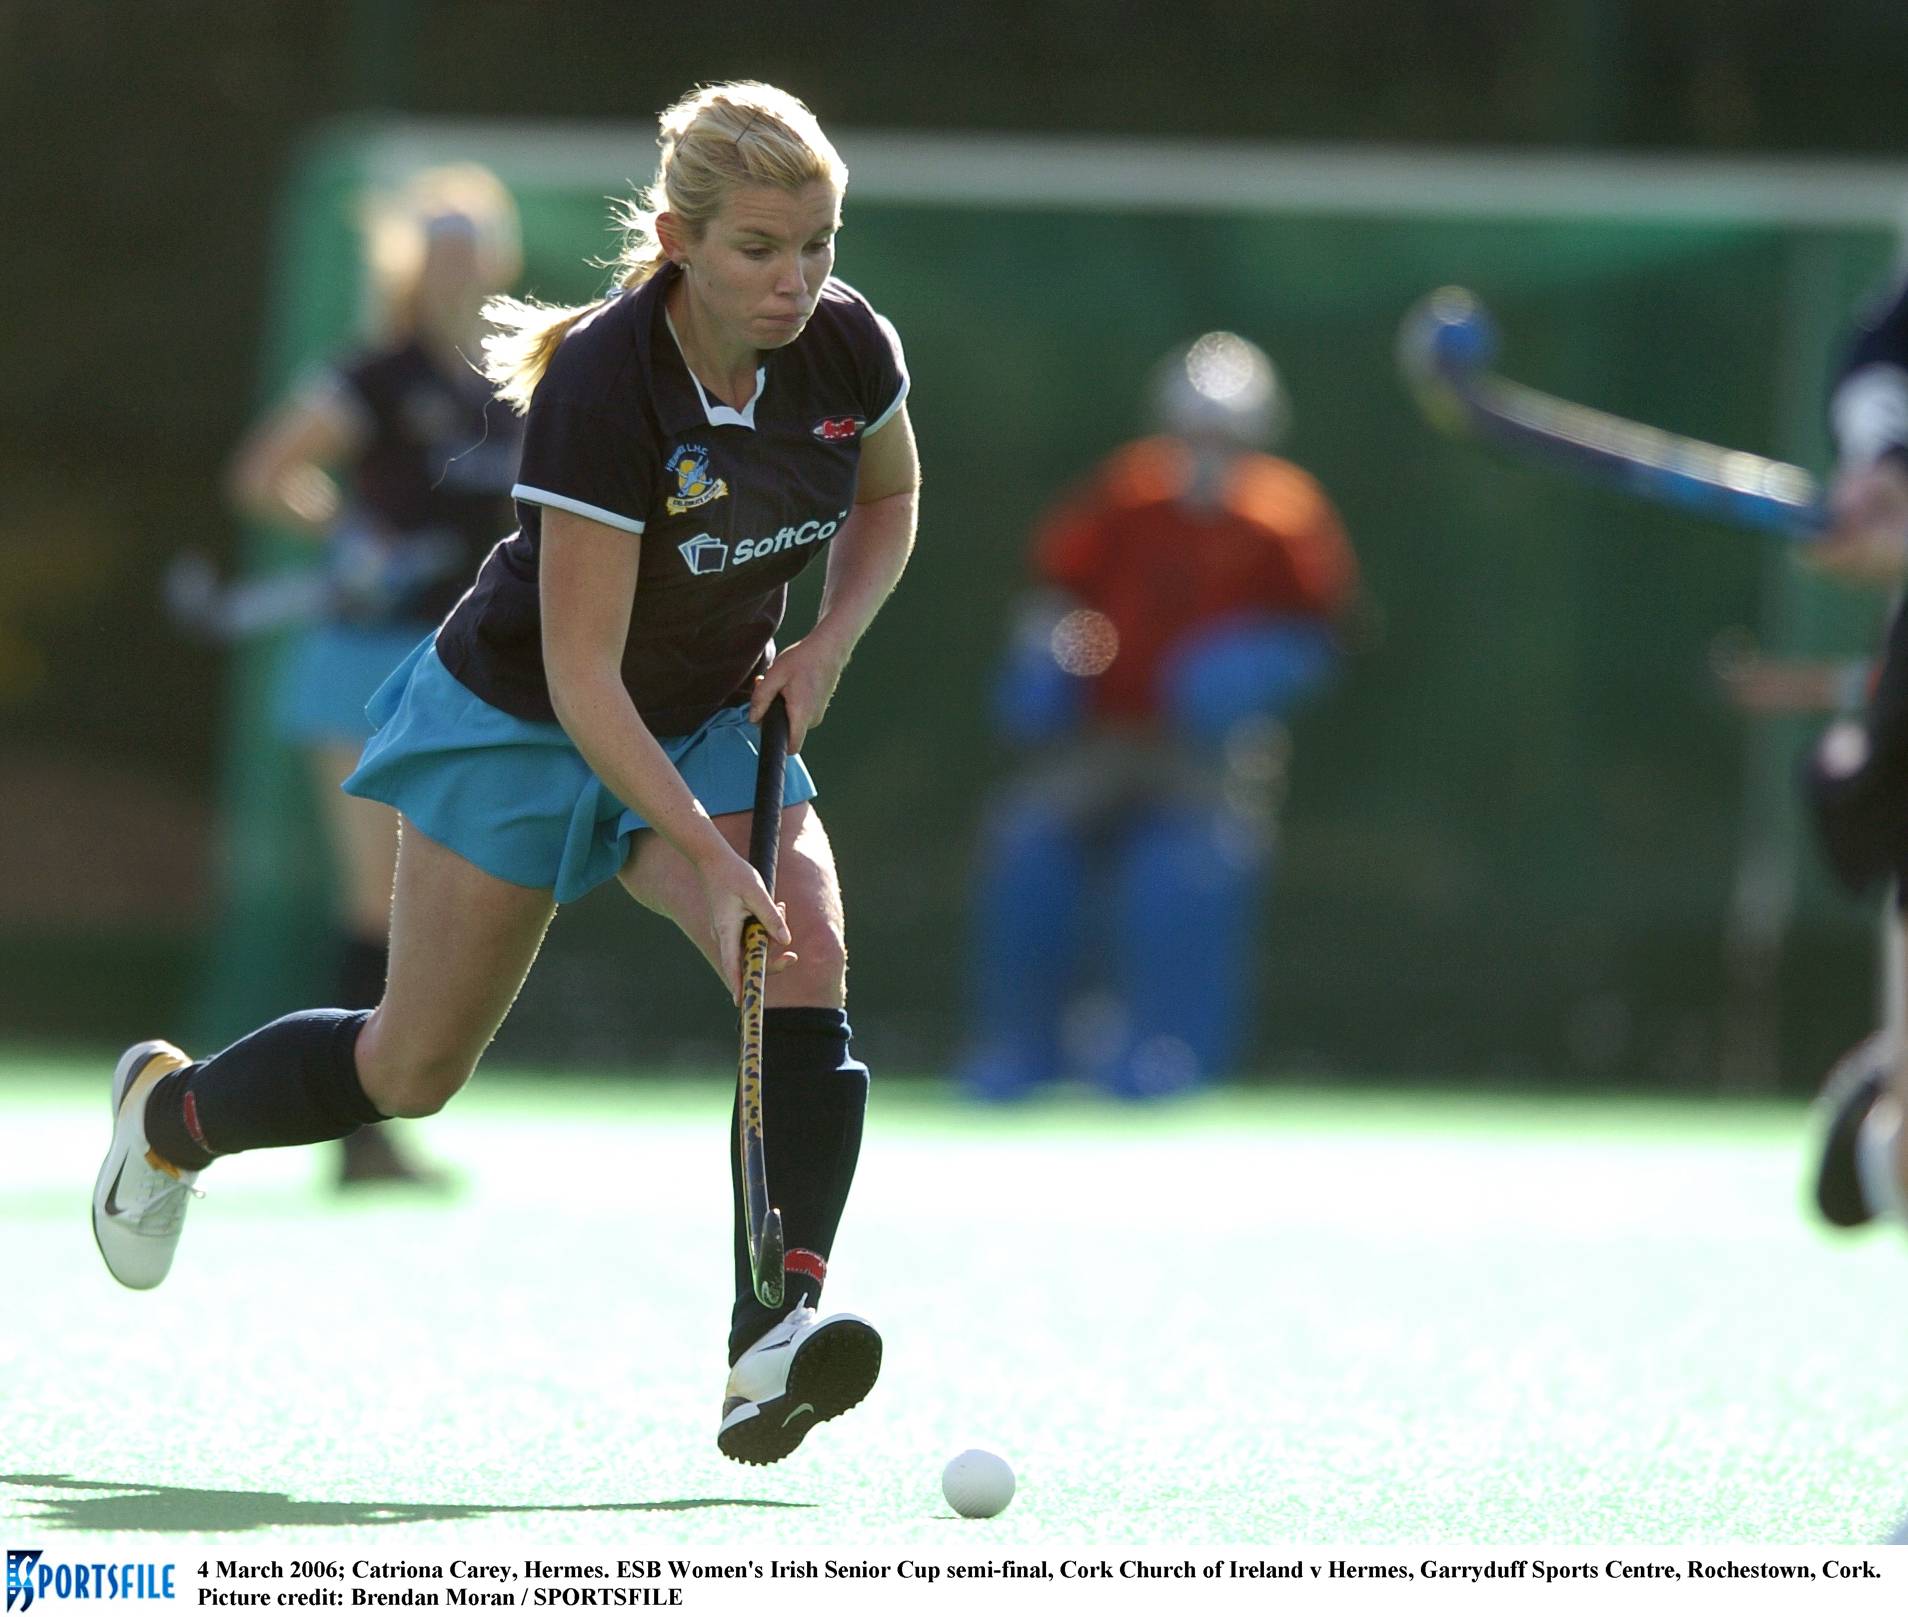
pixel 730 505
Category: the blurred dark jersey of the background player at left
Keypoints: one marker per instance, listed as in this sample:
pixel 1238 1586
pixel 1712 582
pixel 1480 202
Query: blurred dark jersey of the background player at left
pixel 436 463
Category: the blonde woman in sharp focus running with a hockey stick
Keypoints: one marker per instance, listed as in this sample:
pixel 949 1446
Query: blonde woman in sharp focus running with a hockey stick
pixel 589 711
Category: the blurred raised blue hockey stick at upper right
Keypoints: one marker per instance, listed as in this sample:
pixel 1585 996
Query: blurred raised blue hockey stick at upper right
pixel 1445 350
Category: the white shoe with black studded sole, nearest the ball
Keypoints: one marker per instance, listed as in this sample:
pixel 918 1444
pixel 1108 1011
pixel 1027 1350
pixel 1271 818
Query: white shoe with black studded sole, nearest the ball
pixel 802 1372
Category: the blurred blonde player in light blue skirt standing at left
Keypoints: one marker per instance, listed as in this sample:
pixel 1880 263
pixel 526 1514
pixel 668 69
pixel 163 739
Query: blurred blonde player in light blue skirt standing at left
pixel 398 463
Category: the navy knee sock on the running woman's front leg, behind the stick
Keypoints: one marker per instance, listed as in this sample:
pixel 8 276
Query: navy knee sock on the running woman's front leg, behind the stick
pixel 814 1101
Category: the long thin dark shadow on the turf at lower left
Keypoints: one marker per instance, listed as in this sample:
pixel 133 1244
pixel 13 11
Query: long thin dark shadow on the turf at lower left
pixel 135 1507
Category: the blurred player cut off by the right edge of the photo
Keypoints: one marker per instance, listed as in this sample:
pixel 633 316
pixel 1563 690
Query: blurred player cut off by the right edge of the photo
pixel 1859 772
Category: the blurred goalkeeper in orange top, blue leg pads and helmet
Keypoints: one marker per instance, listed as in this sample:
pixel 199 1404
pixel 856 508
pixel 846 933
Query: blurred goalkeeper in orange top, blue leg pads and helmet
pixel 1190 602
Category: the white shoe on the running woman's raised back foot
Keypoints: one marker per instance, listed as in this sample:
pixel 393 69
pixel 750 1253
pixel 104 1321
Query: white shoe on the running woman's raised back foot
pixel 140 1198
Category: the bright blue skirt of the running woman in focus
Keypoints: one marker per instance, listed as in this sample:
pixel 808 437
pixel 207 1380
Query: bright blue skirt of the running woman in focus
pixel 514 797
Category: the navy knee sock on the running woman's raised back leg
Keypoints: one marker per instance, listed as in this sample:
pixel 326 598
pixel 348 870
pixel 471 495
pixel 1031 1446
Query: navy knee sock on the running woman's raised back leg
pixel 289 1083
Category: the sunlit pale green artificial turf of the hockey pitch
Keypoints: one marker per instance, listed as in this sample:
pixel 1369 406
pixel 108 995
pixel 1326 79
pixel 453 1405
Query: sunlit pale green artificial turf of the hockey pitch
pixel 1281 1316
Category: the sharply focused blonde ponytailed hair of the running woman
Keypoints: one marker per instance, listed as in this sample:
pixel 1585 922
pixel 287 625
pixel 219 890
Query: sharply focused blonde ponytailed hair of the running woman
pixel 713 142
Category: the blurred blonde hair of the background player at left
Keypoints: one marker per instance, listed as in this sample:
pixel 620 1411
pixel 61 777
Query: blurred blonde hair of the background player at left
pixel 400 224
